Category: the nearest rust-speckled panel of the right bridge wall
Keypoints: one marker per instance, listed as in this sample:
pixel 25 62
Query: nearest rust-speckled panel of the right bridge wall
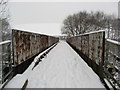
pixel 96 47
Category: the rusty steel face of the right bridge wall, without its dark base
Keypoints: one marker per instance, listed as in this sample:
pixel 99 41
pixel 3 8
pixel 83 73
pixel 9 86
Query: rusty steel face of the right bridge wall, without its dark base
pixel 91 45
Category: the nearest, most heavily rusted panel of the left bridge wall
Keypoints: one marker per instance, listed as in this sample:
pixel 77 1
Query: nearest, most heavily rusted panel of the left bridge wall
pixel 21 46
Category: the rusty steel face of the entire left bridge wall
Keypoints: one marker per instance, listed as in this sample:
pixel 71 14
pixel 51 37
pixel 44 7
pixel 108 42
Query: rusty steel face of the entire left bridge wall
pixel 26 44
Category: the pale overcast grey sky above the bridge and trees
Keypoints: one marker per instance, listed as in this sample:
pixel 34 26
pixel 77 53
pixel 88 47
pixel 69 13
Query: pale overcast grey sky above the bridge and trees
pixel 26 14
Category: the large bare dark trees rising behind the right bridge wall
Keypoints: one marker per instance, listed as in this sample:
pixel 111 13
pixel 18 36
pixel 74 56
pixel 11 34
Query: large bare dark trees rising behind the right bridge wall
pixel 83 22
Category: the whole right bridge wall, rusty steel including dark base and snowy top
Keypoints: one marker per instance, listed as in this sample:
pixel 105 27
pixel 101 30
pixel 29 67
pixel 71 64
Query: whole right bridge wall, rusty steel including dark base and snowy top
pixel 91 48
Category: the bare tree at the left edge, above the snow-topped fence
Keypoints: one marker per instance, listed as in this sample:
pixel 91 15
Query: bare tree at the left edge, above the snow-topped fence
pixel 4 20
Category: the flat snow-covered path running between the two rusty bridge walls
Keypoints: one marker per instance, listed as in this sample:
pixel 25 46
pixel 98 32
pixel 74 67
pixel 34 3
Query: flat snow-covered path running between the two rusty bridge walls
pixel 61 68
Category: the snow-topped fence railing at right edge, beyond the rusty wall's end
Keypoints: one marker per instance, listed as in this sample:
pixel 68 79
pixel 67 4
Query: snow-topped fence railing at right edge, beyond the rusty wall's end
pixel 112 62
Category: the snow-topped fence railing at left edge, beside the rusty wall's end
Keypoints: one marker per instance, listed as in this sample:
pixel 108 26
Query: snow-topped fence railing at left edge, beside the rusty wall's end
pixel 5 61
